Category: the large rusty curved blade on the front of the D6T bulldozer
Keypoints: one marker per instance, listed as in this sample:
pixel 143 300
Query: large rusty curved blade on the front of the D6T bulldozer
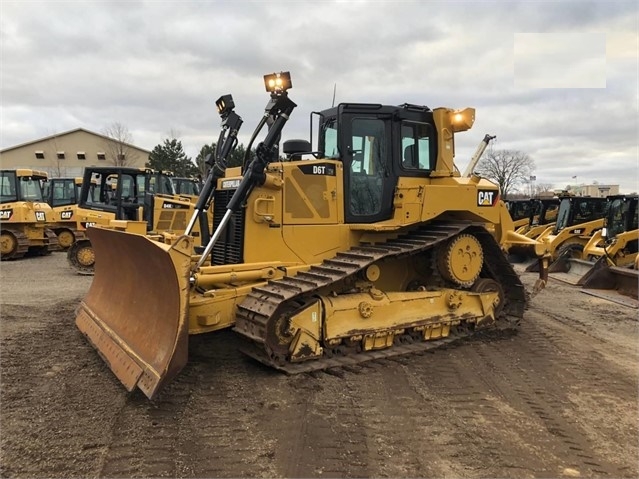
pixel 135 312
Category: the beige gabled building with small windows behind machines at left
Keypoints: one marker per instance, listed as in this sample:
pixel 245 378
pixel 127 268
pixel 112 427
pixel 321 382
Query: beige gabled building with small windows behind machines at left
pixel 67 154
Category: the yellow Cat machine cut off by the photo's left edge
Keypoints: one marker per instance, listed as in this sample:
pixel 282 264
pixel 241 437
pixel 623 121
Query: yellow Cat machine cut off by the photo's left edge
pixel 24 215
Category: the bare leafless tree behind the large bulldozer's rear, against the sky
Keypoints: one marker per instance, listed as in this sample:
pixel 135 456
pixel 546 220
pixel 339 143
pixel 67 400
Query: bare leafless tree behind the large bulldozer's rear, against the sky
pixel 507 168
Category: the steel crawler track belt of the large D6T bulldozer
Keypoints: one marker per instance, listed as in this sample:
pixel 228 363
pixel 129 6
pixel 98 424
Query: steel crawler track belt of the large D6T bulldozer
pixel 265 303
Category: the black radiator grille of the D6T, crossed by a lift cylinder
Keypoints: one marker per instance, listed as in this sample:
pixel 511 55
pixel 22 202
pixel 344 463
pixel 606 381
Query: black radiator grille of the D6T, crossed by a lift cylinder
pixel 229 248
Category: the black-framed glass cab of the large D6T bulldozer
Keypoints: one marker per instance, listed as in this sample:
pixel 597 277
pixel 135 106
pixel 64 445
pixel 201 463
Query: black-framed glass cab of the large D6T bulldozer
pixel 377 144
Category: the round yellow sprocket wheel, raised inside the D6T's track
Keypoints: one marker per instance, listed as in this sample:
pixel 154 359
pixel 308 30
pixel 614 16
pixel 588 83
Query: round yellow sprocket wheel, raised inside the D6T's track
pixel 460 260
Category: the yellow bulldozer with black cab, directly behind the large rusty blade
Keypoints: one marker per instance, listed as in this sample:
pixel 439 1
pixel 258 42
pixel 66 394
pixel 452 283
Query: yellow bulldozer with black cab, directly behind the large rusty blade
pixel 129 199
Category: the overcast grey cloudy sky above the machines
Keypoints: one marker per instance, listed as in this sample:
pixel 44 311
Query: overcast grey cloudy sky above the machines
pixel 557 80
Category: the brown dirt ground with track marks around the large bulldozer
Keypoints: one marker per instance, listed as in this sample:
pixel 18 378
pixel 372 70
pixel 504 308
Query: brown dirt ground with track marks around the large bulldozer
pixel 557 399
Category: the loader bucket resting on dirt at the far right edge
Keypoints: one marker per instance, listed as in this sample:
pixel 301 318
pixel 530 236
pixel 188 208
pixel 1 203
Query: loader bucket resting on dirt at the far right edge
pixel 614 283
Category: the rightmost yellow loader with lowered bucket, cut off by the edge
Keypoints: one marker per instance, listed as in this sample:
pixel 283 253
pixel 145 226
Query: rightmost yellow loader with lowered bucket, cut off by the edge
pixel 607 264
